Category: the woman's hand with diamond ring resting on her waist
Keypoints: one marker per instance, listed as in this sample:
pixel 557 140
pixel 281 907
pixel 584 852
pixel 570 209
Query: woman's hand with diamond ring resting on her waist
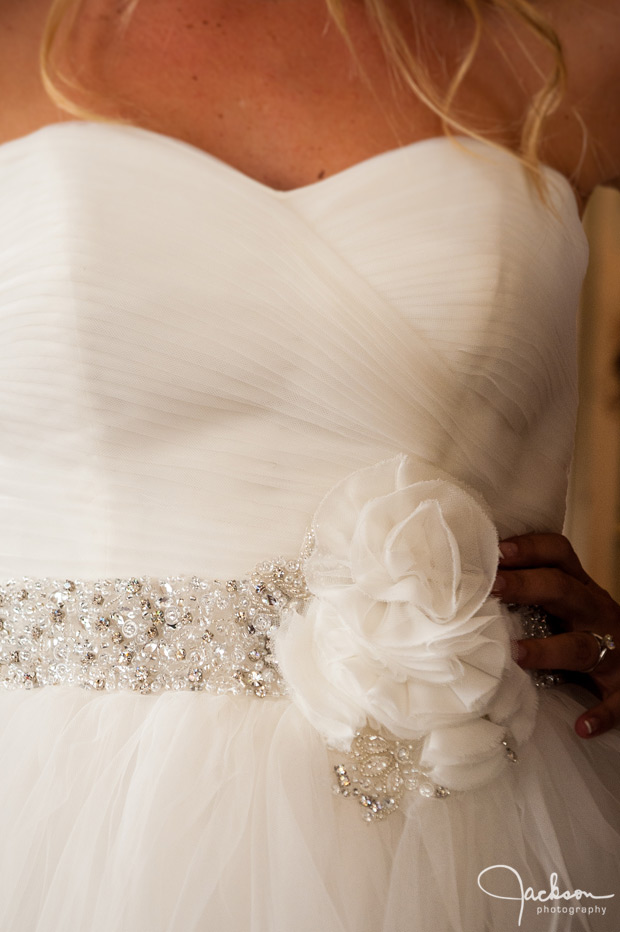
pixel 543 569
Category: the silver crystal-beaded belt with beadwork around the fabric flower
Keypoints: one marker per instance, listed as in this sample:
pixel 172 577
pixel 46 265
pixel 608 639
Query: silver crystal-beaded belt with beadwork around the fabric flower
pixel 186 633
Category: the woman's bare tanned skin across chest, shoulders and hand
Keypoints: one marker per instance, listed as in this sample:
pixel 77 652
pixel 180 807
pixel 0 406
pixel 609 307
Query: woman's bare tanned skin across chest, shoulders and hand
pixel 271 89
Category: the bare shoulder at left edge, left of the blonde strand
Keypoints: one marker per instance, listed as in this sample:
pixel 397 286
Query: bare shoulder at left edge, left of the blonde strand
pixel 24 105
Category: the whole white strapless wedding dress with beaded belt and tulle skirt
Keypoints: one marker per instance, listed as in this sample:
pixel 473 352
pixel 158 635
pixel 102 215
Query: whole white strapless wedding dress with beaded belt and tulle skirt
pixel 190 363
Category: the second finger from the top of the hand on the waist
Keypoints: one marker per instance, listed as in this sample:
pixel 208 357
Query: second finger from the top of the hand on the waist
pixel 558 593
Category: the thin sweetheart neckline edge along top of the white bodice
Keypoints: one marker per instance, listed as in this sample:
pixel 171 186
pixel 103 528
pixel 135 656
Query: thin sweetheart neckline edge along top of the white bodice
pixel 288 194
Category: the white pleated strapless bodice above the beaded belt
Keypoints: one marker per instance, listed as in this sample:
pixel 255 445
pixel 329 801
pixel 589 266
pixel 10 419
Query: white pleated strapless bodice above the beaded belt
pixel 190 360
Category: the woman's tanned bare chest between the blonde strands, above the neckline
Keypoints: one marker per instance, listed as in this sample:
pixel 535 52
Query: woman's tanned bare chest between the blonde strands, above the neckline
pixel 272 89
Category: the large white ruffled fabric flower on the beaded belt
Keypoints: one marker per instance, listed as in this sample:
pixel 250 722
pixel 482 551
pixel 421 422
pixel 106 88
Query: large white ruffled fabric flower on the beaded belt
pixel 402 632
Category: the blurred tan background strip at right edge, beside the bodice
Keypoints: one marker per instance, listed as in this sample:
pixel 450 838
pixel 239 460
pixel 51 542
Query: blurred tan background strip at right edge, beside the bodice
pixel 593 520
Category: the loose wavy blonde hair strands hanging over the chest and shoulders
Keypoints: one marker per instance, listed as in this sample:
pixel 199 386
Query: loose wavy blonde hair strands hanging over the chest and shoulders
pixel 62 87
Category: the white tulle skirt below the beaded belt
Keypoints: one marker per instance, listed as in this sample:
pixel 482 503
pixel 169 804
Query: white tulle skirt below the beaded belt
pixel 189 812
